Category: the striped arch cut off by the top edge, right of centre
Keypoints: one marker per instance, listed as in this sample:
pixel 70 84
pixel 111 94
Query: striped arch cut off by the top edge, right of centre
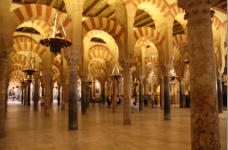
pixel 162 4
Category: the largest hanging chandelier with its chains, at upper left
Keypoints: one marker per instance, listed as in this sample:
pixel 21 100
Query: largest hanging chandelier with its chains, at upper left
pixel 57 41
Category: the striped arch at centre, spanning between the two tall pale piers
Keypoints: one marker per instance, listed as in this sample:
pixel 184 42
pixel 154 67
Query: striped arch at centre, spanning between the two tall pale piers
pixel 107 25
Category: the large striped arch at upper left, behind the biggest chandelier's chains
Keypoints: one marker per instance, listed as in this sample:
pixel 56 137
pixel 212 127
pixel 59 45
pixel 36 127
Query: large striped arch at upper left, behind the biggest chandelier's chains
pixel 37 11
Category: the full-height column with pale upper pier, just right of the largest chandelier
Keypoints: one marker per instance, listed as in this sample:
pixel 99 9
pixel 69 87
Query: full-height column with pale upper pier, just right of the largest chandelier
pixel 73 61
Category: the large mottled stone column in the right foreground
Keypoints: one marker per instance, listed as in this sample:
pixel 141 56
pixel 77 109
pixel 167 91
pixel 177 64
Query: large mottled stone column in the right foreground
pixel 204 104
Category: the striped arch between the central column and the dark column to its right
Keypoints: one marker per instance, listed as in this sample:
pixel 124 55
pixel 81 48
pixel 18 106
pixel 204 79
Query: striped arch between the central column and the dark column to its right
pixel 148 33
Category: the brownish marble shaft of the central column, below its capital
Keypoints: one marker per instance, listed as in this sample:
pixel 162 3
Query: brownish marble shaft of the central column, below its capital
pixel 127 96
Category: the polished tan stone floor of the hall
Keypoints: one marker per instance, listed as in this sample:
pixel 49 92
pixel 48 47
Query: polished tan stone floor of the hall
pixel 99 129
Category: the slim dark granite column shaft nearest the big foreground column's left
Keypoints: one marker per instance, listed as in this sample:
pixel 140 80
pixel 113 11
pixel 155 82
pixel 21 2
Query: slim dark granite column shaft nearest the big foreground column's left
pixel 166 98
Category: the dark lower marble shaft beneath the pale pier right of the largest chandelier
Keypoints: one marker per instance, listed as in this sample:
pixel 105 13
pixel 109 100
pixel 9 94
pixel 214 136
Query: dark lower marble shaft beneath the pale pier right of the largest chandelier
pixel 73 99
